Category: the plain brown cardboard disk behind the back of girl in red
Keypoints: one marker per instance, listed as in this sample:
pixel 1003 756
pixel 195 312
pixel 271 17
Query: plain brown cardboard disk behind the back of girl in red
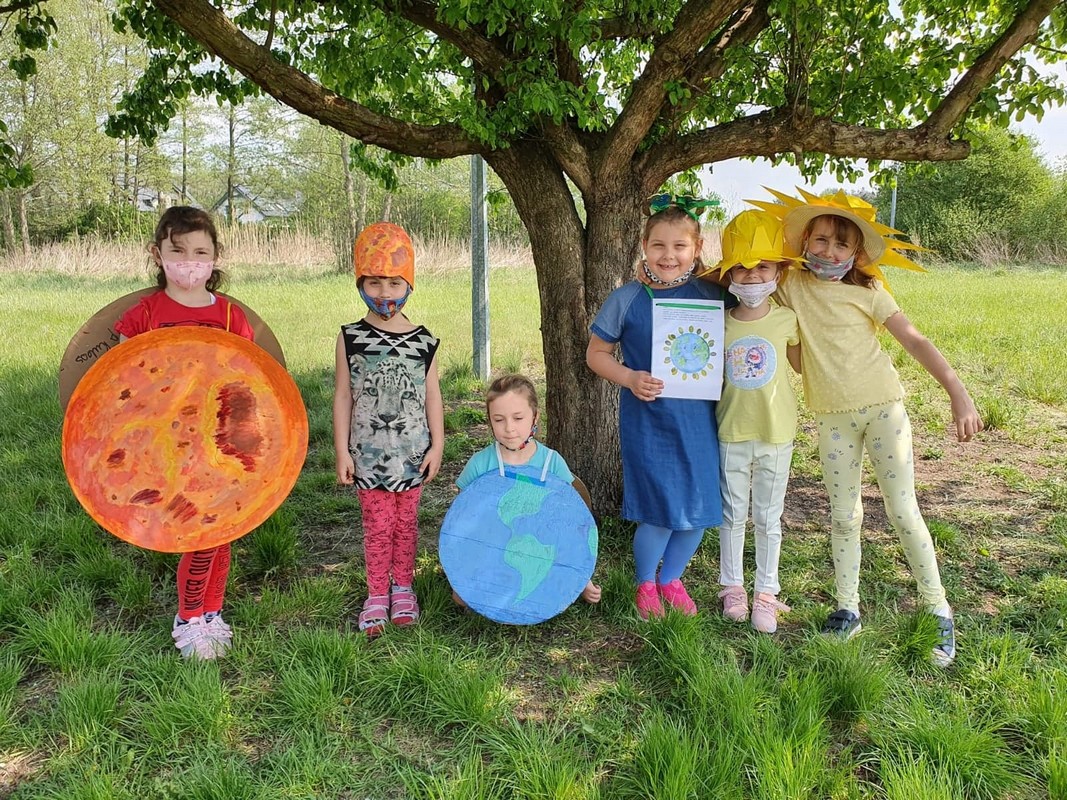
pixel 98 337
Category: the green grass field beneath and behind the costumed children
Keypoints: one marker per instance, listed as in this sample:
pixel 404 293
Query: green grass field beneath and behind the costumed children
pixel 95 702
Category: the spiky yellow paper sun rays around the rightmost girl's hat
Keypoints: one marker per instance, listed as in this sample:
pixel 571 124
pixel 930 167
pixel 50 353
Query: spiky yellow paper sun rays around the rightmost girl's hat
pixel 880 245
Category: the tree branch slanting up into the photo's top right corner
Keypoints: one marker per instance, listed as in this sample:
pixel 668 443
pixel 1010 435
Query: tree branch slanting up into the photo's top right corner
pixel 1022 33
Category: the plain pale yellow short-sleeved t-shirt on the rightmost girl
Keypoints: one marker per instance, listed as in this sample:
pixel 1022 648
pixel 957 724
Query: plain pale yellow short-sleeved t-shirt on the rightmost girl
pixel 845 366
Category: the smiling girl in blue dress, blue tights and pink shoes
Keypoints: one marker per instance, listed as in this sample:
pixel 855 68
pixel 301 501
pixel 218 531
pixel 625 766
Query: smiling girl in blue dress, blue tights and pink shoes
pixel 671 458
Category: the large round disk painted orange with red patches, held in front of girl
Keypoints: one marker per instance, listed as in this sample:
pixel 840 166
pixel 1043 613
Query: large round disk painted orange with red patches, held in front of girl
pixel 184 439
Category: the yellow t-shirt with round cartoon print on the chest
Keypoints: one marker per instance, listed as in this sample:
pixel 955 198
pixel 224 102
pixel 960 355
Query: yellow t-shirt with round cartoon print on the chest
pixel 758 404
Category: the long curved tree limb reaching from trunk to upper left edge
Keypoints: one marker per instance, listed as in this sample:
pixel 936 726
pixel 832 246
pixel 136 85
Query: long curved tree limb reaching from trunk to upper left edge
pixel 220 37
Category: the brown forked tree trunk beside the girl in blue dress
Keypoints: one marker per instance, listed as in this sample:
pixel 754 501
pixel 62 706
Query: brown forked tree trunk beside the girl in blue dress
pixel 578 267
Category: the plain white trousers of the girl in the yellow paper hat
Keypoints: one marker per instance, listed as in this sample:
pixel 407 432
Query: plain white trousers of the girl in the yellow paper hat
pixel 765 471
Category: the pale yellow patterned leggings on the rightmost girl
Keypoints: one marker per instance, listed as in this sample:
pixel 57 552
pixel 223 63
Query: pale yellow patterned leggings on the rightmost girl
pixel 886 434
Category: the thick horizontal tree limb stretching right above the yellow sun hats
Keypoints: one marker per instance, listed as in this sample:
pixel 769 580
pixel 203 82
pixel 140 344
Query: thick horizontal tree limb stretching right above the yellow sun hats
pixel 782 131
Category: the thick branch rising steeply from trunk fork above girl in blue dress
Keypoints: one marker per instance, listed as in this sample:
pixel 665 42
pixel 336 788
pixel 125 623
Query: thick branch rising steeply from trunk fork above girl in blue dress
pixel 695 24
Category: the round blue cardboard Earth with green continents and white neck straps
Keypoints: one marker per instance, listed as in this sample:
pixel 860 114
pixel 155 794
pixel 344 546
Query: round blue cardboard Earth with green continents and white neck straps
pixel 519 545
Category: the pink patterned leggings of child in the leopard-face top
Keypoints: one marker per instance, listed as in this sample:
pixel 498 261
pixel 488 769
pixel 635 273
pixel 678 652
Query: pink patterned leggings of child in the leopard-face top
pixel 390 535
